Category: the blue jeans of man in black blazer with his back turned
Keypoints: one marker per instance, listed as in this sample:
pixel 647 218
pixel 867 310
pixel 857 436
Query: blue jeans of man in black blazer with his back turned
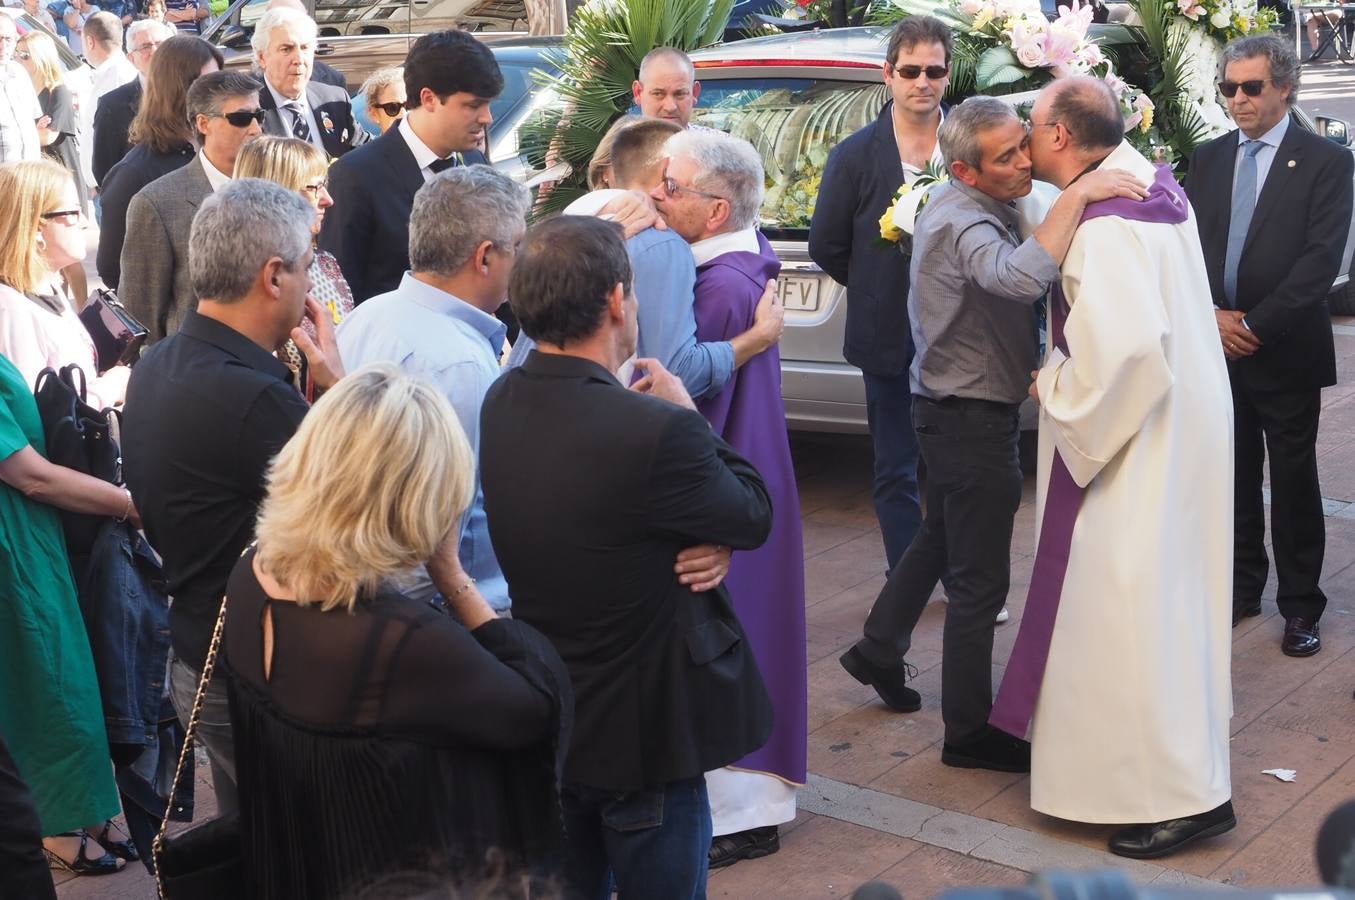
pixel 654 845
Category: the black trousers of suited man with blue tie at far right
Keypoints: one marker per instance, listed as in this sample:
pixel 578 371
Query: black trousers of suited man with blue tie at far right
pixel 1283 425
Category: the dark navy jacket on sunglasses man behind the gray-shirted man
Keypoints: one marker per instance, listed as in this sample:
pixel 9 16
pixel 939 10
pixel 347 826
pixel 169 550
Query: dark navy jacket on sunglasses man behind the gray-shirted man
pixel 860 182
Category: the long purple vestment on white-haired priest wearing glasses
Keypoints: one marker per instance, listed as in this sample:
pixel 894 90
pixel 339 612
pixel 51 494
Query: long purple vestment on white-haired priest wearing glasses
pixel 768 585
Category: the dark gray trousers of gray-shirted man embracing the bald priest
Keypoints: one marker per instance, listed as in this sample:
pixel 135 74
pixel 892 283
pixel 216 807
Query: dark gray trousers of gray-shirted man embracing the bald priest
pixel 974 490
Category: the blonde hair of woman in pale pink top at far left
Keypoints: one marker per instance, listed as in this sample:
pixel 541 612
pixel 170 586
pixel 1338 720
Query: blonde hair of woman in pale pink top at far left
pixel 28 190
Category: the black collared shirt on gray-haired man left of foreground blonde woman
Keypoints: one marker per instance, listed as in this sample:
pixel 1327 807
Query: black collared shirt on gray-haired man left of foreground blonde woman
pixel 207 411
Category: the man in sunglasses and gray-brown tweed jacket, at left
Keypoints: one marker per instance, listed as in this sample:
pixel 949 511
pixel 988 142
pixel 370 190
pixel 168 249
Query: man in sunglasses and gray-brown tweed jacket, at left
pixel 155 285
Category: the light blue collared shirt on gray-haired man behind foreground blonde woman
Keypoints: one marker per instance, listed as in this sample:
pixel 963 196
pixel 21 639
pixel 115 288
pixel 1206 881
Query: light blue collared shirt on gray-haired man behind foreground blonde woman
pixel 456 346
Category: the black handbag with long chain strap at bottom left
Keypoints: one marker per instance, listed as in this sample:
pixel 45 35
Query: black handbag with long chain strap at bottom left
pixel 205 863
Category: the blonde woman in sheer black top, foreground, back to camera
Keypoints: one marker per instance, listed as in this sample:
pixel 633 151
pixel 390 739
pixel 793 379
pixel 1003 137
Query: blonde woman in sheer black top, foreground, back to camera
pixel 444 730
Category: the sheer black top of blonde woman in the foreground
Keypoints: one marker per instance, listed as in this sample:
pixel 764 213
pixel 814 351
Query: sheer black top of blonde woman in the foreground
pixel 390 739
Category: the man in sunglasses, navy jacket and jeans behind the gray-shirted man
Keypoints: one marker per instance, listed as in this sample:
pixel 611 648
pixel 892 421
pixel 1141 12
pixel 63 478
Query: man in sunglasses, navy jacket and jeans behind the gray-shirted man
pixel 860 182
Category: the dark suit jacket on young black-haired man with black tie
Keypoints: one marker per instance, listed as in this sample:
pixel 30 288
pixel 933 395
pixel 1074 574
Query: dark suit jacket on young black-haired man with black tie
pixel 368 228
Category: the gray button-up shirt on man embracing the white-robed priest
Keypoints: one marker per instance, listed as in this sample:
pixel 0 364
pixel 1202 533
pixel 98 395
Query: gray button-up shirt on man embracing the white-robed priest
pixel 971 304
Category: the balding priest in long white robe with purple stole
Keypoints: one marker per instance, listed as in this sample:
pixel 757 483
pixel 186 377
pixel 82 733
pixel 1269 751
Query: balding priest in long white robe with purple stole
pixel 1121 669
